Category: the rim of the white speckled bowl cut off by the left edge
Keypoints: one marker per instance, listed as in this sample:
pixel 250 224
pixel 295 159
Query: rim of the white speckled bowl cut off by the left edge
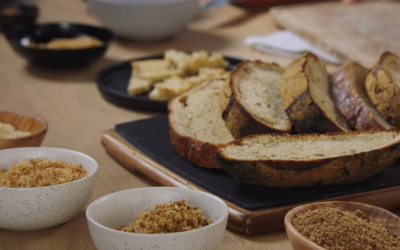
pixel 96 167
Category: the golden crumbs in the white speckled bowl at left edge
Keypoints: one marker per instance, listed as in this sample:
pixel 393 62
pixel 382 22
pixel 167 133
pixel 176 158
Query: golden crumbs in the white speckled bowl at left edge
pixel 39 172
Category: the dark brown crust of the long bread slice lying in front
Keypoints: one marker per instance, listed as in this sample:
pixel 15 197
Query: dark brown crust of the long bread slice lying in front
pixel 327 171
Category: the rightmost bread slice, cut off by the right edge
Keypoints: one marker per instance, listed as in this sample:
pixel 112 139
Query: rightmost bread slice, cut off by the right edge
pixel 383 87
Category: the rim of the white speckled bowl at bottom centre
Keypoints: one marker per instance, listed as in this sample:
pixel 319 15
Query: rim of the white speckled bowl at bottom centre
pixel 88 217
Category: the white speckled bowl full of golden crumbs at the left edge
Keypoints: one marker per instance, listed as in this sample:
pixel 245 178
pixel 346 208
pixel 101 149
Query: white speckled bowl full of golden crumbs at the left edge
pixel 43 187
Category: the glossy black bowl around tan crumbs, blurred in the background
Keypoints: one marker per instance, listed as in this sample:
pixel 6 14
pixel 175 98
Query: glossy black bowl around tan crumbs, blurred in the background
pixel 60 58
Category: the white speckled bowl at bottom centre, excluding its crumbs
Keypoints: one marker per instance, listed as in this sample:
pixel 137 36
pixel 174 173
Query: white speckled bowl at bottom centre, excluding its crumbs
pixel 120 209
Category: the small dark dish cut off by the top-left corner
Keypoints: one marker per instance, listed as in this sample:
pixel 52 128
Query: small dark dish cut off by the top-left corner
pixel 17 15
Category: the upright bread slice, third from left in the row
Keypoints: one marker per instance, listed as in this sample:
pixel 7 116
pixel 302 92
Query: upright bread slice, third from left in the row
pixel 305 96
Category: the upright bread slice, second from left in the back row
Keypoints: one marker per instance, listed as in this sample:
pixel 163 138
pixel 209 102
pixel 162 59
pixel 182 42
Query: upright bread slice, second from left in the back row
pixel 255 105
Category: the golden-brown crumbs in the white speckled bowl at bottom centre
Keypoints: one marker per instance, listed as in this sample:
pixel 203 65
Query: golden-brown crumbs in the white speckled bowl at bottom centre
pixel 168 218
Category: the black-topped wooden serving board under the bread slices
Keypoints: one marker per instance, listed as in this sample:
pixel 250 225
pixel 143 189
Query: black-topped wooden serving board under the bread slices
pixel 144 146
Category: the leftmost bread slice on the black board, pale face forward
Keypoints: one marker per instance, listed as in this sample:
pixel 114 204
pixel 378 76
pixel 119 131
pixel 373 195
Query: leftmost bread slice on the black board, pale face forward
pixel 196 127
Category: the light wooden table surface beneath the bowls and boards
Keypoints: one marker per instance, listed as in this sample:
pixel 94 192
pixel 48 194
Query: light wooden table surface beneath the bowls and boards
pixel 77 114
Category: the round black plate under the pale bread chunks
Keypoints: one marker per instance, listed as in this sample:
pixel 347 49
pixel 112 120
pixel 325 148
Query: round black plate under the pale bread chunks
pixel 113 82
